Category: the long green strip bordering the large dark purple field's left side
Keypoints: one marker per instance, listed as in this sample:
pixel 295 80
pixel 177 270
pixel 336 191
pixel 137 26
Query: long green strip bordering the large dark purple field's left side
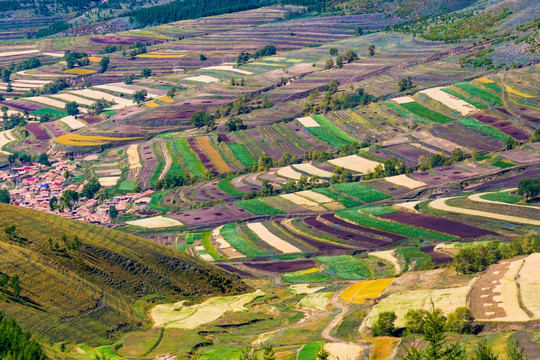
pixel 396 228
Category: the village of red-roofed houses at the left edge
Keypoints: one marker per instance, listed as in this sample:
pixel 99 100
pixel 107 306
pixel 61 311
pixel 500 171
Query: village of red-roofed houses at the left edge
pixel 33 186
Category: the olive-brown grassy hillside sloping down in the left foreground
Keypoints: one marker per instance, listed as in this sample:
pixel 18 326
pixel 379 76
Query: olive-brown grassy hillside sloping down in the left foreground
pixel 88 292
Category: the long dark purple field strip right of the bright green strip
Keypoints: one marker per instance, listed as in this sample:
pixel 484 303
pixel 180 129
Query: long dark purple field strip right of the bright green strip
pixel 438 224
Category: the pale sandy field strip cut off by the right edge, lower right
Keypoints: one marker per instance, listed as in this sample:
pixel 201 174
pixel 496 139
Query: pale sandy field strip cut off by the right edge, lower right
pixel 529 284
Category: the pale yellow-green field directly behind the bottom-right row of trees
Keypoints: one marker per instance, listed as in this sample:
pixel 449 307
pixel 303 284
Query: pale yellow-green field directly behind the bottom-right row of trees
pixel 447 300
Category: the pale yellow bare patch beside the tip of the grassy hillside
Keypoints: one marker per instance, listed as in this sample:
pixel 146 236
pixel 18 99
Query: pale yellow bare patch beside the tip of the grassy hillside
pixel 178 316
